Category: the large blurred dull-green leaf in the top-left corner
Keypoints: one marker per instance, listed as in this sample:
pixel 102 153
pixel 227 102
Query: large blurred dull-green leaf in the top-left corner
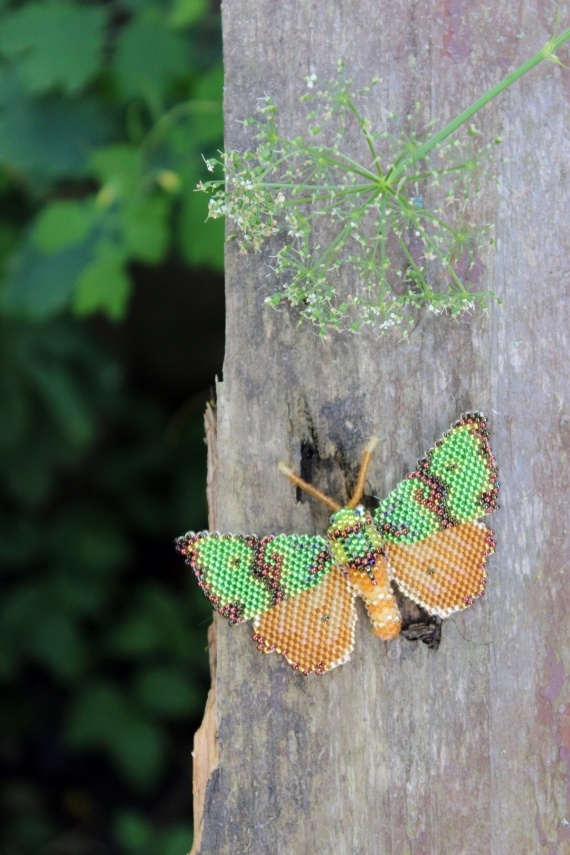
pixel 55 43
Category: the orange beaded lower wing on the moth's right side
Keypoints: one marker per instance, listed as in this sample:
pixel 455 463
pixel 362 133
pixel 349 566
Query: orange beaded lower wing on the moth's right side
pixel 445 572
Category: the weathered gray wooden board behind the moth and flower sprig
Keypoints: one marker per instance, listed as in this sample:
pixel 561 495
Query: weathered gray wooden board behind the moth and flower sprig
pixel 405 750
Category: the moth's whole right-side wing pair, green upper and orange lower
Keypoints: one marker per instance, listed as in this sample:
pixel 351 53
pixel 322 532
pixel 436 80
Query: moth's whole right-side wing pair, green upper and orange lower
pixel 436 552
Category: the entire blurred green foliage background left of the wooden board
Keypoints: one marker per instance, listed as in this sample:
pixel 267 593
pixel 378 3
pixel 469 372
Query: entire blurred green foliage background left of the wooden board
pixel 110 332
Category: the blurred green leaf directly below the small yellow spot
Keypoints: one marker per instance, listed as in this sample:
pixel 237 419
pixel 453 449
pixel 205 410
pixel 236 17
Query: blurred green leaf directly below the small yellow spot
pixel 146 228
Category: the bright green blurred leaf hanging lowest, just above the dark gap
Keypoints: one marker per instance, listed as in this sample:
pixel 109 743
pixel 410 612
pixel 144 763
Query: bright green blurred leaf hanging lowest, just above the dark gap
pixel 104 285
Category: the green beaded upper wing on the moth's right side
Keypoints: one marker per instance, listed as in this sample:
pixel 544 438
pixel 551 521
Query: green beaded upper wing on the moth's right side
pixel 454 483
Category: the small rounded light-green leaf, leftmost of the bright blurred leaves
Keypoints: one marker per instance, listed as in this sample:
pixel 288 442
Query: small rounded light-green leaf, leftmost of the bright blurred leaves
pixel 61 224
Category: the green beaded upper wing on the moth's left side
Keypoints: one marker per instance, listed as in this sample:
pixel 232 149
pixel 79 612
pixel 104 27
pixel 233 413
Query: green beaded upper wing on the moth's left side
pixel 244 576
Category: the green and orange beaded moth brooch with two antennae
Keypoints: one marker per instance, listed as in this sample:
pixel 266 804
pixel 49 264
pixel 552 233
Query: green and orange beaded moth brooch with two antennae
pixel 300 589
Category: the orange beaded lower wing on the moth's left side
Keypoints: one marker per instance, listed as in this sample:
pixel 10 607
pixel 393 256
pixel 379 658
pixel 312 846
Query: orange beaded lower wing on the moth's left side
pixel 314 630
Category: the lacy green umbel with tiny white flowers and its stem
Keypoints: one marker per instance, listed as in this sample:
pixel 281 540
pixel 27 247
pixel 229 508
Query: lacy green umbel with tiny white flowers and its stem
pixel 396 224
